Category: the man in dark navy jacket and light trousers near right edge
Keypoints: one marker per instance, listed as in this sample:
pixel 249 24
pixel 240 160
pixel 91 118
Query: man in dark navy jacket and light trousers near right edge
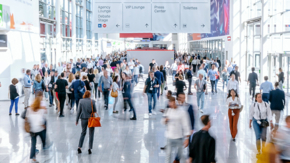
pixel 277 99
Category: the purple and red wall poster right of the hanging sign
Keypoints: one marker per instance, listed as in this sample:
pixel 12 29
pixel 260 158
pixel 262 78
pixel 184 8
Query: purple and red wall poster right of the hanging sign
pixel 219 19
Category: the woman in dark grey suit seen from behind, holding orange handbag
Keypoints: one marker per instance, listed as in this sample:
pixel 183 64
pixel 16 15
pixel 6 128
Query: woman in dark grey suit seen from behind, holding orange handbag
pixel 85 109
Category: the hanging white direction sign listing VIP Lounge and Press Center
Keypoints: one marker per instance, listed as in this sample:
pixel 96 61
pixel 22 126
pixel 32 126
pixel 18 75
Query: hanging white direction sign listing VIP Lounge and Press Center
pixel 152 16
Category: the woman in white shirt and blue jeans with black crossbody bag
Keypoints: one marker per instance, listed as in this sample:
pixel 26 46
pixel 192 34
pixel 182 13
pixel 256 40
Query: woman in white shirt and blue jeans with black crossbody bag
pixel 260 114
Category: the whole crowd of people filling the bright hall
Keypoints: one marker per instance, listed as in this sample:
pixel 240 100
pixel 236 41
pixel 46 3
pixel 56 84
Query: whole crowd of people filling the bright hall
pixel 80 85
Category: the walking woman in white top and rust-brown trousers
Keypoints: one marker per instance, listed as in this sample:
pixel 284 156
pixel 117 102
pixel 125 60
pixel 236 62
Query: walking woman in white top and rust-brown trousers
pixel 234 104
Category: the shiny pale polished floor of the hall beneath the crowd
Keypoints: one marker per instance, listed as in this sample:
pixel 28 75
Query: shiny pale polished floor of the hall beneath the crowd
pixel 121 140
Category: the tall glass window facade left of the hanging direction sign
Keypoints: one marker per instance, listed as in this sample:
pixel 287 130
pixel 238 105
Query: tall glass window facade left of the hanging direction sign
pixel 71 23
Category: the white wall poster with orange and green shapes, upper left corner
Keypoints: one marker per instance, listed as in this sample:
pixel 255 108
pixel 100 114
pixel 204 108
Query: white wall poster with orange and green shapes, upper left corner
pixel 22 15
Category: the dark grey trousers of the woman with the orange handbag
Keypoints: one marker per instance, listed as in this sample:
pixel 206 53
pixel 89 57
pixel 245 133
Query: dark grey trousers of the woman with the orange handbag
pixel 84 132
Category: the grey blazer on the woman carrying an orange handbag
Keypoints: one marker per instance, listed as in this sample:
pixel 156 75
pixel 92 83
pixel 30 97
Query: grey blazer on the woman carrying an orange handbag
pixel 85 109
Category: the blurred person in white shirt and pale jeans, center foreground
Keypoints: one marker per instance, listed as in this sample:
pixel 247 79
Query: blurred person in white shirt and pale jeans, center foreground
pixel 177 123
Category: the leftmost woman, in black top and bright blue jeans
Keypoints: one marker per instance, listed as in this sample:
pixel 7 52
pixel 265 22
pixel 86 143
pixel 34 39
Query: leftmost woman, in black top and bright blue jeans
pixel 14 96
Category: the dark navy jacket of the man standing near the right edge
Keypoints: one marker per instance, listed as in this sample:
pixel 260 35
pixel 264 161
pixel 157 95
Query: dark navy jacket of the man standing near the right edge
pixel 277 99
